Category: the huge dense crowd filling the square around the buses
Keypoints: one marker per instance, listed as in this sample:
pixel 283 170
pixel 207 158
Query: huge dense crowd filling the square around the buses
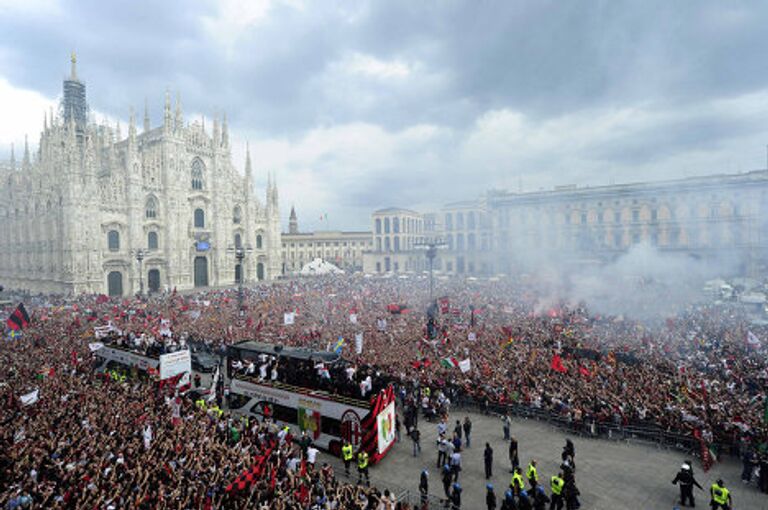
pixel 84 442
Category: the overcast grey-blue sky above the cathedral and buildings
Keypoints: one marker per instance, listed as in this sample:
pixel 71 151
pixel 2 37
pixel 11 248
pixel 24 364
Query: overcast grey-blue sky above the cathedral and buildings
pixel 359 105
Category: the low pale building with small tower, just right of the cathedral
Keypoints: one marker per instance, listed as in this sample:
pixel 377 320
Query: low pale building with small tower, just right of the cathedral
pixel 343 249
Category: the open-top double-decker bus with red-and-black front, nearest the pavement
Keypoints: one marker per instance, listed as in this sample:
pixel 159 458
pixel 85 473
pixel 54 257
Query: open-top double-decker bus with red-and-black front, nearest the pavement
pixel 303 405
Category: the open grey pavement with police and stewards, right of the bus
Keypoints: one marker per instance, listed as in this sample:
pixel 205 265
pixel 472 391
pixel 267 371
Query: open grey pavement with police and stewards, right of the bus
pixel 611 475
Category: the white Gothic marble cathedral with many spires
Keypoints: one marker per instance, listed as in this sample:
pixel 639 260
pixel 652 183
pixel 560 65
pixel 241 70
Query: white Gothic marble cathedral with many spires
pixel 93 211
